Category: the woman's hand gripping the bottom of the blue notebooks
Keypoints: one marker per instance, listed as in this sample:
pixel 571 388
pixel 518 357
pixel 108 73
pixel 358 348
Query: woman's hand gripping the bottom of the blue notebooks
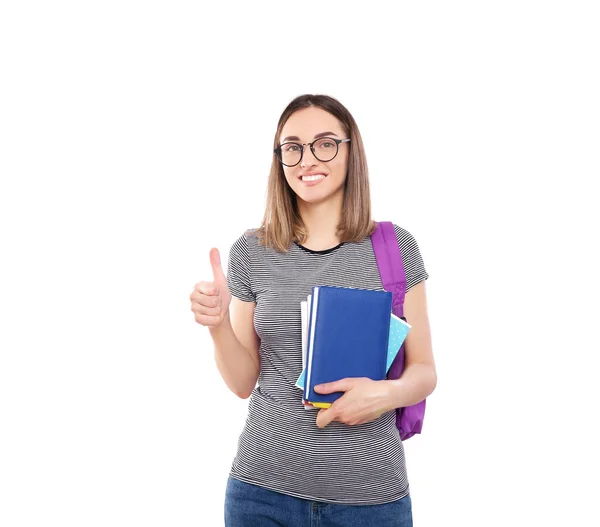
pixel 364 400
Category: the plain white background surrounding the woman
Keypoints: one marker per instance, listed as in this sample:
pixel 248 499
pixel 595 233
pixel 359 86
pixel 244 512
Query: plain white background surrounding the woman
pixel 135 136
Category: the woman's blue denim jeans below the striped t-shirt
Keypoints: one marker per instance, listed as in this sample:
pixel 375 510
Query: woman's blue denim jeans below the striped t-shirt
pixel 253 506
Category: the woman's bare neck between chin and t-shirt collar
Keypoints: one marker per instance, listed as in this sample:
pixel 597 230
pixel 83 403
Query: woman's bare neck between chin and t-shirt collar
pixel 321 221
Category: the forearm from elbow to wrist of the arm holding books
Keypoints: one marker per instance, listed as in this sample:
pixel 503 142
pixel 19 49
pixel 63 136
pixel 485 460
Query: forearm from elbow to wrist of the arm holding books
pixel 415 384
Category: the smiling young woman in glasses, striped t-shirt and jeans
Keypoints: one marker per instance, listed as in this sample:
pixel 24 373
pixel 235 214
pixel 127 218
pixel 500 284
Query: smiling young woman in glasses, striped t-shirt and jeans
pixel 344 465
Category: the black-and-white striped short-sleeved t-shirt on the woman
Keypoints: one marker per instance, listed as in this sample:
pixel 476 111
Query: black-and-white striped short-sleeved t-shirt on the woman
pixel 280 447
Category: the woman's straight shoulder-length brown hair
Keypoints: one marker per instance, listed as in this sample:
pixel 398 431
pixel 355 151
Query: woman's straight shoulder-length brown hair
pixel 282 223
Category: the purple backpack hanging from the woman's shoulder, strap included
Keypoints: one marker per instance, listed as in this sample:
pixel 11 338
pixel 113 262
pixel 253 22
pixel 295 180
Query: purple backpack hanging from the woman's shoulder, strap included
pixel 409 420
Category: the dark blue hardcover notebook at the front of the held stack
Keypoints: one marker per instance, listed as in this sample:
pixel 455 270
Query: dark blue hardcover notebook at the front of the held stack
pixel 347 337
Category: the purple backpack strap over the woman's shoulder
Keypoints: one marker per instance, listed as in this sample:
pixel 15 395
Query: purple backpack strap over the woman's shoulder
pixel 389 261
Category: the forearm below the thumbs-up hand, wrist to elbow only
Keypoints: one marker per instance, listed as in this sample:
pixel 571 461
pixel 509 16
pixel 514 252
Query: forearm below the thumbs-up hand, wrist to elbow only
pixel 236 364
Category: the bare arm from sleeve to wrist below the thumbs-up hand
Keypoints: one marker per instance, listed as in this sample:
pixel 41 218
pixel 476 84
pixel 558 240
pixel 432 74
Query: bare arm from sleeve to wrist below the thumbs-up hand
pixel 236 347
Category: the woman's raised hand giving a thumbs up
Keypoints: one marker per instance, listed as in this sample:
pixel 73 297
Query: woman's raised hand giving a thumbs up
pixel 210 300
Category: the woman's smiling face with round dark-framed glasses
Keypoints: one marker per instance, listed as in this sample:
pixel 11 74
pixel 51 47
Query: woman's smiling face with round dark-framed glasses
pixel 312 180
